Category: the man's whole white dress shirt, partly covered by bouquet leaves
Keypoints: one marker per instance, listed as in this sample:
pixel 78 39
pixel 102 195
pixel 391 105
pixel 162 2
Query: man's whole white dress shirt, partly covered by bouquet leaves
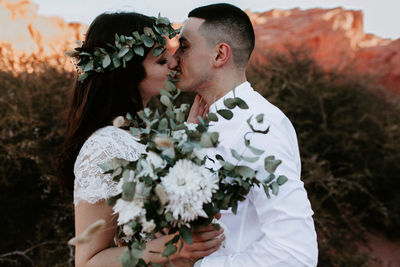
pixel 265 232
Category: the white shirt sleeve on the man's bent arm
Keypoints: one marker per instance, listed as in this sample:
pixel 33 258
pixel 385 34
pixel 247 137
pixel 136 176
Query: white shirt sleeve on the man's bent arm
pixel 289 237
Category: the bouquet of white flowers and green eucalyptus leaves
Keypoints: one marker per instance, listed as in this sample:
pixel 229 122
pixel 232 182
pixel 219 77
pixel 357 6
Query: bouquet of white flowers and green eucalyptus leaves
pixel 169 187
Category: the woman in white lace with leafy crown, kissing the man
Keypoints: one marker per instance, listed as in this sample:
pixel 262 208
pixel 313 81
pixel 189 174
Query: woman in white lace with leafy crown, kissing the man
pixel 90 139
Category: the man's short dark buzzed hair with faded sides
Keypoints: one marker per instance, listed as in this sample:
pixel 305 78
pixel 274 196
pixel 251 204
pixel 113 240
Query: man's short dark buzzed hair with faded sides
pixel 225 23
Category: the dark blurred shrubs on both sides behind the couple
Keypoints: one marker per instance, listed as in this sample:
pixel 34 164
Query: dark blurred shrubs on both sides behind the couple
pixel 349 136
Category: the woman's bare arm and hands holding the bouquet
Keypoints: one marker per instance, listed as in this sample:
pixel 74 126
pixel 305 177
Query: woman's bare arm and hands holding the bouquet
pixel 98 252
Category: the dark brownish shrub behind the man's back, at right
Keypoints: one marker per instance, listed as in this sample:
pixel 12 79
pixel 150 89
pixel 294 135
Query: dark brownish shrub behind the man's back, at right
pixel 349 137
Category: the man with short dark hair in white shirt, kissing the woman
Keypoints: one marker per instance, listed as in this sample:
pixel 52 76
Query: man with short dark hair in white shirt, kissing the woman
pixel 215 45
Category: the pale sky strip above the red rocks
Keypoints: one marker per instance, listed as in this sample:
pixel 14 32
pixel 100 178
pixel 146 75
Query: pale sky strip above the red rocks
pixel 381 17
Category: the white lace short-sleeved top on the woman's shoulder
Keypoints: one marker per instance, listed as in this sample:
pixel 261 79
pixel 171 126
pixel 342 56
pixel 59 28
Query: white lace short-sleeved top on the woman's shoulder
pixel 91 184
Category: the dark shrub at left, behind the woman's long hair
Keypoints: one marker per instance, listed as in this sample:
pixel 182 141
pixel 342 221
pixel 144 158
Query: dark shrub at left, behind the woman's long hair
pixel 37 220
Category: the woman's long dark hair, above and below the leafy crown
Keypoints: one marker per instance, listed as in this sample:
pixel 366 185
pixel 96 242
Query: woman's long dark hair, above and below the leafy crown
pixel 101 97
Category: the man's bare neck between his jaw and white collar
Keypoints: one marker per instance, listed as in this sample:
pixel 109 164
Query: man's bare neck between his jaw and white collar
pixel 221 85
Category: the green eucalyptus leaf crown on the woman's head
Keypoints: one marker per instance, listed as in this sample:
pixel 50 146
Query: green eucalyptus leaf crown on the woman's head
pixel 124 49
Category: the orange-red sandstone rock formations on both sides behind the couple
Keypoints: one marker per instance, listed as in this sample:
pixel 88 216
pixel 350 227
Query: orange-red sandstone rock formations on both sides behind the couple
pixel 335 38
